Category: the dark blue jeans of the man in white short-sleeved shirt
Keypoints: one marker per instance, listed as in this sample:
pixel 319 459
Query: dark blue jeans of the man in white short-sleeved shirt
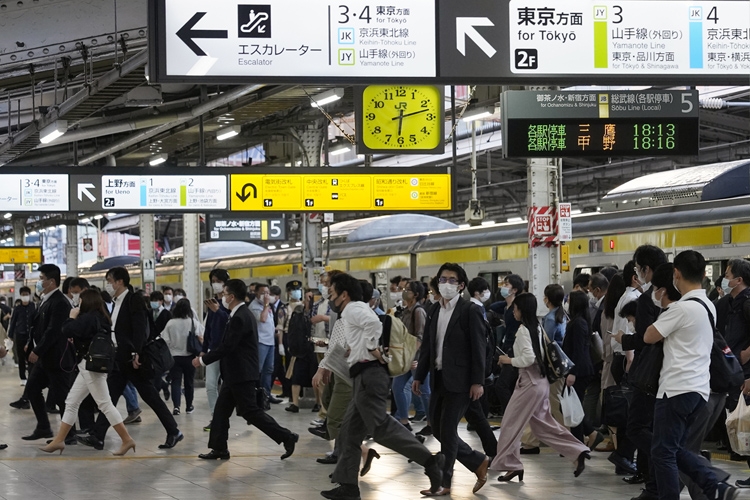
pixel 672 420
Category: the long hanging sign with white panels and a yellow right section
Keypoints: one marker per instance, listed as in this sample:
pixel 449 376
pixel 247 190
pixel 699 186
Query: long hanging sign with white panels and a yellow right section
pixel 205 190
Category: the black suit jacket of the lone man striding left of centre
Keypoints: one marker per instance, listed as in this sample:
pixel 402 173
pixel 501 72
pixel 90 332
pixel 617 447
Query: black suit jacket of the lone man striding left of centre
pixel 238 350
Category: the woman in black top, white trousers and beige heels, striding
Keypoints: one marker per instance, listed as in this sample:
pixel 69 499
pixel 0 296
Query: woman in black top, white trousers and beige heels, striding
pixel 84 323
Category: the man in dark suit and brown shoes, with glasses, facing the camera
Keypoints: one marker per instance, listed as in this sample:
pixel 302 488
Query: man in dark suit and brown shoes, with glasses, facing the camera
pixel 453 353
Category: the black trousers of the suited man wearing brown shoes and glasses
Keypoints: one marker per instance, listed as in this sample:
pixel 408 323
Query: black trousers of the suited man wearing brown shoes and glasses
pixel 446 411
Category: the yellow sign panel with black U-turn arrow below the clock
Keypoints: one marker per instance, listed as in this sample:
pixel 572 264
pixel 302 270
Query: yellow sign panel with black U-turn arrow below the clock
pixel 340 192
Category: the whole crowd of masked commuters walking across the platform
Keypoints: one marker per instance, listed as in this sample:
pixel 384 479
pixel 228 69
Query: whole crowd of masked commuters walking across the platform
pixel 476 355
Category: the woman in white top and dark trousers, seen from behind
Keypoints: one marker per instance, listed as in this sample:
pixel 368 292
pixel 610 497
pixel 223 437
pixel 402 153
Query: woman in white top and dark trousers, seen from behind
pixel 175 334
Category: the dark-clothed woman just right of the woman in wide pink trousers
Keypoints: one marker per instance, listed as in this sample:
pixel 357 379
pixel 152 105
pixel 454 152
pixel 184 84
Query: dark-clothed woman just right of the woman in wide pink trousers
pixel 577 345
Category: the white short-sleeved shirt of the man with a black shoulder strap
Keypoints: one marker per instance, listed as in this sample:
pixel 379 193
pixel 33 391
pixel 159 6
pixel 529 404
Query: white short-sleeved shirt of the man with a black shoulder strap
pixel 688 339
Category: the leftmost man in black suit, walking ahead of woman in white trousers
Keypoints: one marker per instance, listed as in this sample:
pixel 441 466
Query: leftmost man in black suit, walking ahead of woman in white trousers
pixel 48 351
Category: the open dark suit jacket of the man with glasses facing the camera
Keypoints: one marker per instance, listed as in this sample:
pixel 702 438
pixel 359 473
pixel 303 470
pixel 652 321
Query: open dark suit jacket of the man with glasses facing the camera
pixel 464 348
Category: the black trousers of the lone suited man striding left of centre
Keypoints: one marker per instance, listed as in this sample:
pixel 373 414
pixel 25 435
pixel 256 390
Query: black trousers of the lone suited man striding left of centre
pixel 241 396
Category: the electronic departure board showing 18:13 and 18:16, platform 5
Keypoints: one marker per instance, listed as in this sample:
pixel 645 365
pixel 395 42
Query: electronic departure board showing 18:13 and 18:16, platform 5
pixel 591 123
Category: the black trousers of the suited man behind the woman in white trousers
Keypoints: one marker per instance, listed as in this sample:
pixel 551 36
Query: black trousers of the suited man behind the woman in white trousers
pixel 143 383
